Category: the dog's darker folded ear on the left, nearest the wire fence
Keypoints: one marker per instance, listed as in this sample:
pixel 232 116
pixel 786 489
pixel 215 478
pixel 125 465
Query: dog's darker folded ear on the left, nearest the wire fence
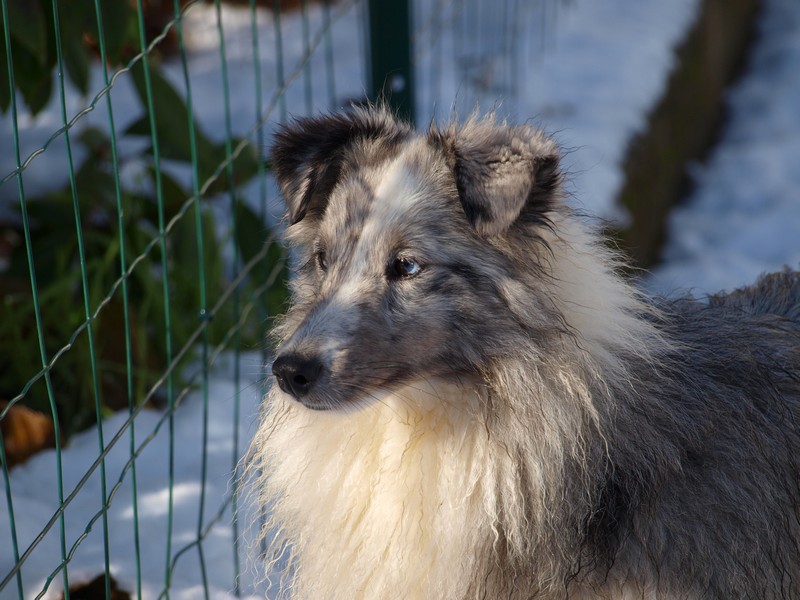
pixel 308 153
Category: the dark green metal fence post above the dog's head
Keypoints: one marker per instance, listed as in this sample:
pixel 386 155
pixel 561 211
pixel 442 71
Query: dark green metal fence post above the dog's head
pixel 391 77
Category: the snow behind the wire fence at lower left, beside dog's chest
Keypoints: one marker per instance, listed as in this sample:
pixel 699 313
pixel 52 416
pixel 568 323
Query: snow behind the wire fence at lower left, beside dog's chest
pixel 35 498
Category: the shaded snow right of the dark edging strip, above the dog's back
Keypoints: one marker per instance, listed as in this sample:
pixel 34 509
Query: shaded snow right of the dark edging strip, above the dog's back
pixel 743 218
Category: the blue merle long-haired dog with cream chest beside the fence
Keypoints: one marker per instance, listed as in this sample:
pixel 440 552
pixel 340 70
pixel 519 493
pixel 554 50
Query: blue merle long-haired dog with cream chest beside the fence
pixel 471 402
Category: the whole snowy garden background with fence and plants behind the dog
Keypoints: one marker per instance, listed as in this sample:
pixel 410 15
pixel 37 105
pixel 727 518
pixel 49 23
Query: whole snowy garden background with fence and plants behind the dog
pixel 138 264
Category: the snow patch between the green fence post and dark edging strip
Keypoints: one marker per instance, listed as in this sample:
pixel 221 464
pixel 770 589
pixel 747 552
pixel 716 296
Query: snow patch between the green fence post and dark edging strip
pixel 590 82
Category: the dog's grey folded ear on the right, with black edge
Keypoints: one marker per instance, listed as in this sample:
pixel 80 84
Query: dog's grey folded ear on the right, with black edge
pixel 502 172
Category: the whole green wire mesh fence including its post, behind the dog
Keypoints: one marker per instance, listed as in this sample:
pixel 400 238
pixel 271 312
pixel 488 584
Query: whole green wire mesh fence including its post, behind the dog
pixel 138 265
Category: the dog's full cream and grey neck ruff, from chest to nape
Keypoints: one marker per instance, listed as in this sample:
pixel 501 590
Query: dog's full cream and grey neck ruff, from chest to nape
pixel 439 490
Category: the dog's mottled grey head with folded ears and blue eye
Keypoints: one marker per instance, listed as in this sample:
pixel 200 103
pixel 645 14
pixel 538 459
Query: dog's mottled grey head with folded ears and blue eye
pixel 408 245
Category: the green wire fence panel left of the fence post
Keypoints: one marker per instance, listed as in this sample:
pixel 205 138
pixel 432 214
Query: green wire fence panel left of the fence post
pixel 171 261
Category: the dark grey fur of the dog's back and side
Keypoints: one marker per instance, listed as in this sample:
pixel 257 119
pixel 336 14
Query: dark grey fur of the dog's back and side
pixel 720 516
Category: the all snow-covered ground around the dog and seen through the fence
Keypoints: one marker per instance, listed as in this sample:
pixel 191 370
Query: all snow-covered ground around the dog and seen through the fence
pixel 591 80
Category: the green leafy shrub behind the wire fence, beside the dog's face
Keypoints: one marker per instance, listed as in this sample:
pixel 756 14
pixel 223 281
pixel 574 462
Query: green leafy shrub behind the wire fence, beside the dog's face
pixel 55 247
